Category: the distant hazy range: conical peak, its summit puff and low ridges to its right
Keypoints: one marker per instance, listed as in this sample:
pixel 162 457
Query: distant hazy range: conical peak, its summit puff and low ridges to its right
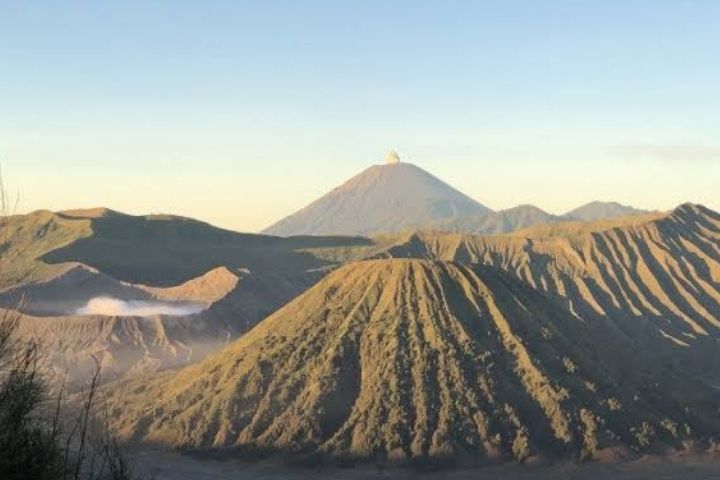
pixel 398 197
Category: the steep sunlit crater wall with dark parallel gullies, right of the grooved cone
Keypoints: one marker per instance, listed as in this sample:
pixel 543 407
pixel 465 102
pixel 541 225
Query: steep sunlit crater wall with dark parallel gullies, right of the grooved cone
pixel 662 271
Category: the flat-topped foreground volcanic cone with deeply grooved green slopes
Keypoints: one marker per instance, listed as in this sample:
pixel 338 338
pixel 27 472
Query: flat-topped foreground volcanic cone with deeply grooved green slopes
pixel 403 359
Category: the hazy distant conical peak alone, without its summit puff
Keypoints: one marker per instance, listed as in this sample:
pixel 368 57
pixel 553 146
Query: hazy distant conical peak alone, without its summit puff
pixel 382 199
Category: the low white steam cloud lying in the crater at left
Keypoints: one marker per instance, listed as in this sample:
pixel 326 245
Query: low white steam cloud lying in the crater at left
pixel 115 307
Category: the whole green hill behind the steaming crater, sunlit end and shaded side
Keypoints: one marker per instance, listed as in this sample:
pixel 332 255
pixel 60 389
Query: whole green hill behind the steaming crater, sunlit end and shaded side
pixel 158 250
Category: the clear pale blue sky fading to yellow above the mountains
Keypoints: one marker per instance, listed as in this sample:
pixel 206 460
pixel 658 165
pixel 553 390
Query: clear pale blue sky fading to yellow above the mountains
pixel 239 113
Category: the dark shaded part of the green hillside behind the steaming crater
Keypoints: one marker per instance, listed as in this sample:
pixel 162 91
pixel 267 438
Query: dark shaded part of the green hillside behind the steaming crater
pixel 166 250
